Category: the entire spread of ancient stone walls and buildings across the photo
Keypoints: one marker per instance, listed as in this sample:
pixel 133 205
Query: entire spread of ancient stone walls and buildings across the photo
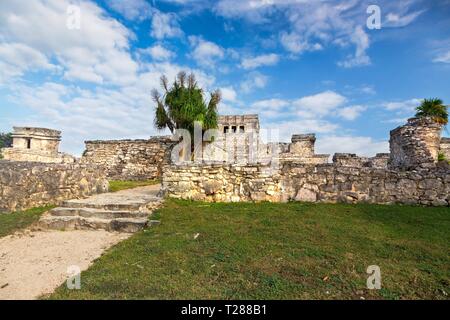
pixel 234 166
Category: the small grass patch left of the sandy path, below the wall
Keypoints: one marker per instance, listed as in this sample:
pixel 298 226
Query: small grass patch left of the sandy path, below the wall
pixel 9 223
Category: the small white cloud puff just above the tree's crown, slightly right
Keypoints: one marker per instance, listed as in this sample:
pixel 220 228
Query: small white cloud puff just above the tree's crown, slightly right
pixel 205 53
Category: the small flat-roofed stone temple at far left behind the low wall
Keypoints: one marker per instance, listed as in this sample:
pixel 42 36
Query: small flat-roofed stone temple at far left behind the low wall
pixel 36 145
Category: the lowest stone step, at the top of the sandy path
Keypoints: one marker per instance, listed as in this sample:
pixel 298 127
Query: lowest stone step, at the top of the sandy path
pixel 128 225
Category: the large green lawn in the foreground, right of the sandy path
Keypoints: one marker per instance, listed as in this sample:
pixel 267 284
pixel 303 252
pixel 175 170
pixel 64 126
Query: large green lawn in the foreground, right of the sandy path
pixel 276 251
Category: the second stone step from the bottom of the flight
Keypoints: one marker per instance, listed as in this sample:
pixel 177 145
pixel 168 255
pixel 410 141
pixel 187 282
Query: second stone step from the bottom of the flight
pixel 97 213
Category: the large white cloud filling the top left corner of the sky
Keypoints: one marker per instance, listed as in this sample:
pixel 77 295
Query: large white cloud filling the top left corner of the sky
pixel 97 52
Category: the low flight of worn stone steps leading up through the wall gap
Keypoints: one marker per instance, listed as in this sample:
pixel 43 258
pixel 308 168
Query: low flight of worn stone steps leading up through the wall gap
pixel 125 211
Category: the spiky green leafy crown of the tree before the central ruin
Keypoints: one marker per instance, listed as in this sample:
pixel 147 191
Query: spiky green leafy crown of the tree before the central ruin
pixel 182 104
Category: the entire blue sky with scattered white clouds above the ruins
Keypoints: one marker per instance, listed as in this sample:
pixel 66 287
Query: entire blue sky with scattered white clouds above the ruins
pixel 302 65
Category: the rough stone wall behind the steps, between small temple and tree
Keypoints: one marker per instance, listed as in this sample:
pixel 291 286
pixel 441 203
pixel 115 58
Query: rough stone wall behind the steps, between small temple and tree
pixel 130 159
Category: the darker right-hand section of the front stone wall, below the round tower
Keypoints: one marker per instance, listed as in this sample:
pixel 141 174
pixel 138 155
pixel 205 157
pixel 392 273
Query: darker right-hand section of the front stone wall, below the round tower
pixel 334 183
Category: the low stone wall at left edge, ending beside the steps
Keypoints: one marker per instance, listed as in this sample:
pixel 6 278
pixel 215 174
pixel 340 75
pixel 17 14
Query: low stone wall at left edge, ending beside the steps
pixel 25 185
